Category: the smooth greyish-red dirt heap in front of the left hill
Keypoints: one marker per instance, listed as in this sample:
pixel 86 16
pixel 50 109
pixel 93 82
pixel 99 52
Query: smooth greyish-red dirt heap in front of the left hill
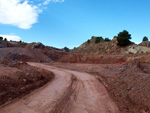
pixel 23 54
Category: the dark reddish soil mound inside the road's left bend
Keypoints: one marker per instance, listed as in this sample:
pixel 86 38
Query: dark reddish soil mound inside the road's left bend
pixel 20 79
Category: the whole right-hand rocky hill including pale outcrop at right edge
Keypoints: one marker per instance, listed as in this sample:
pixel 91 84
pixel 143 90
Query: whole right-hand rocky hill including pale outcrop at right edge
pixel 107 52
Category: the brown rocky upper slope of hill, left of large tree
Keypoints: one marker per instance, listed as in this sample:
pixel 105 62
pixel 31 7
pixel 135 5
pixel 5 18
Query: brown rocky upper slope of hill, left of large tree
pixel 103 47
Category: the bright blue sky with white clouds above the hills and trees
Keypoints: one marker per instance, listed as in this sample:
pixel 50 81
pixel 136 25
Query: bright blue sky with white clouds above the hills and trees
pixel 71 22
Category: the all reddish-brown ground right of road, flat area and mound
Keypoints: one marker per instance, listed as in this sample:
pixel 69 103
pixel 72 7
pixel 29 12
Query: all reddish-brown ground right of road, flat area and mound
pixel 127 84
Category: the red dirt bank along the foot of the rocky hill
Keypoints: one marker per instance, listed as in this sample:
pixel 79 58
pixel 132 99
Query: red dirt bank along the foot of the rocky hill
pixel 98 59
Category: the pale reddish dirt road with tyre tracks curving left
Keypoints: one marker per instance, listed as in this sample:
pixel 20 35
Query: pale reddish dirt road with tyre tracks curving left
pixel 69 92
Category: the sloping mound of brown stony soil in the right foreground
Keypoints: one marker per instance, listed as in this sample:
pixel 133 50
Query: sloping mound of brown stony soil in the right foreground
pixel 130 87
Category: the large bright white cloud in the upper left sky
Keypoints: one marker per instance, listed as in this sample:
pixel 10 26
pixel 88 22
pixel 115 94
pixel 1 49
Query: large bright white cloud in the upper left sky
pixel 21 13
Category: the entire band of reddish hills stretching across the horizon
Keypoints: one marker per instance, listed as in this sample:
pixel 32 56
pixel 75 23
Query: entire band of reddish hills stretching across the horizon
pixel 104 51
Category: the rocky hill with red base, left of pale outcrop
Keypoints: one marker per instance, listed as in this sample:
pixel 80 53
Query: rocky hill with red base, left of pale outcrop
pixel 91 52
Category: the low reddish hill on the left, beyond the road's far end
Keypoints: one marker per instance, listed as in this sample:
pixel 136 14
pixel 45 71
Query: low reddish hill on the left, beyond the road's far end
pixel 35 52
